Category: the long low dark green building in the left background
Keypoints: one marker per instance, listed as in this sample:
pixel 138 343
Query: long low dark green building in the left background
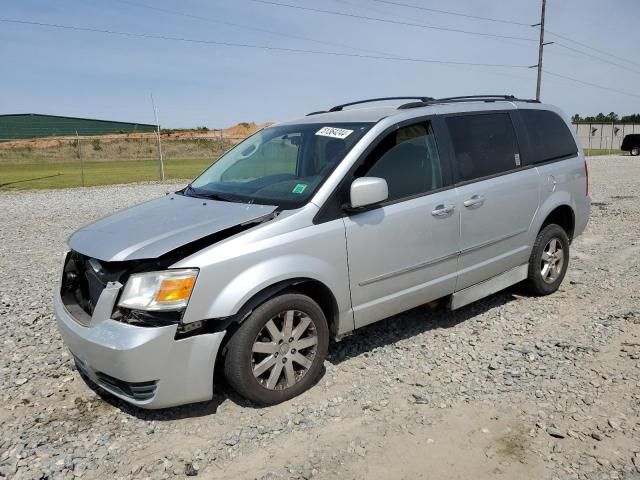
pixel 33 125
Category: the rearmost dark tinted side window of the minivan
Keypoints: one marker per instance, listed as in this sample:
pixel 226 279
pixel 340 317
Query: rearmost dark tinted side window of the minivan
pixel 549 135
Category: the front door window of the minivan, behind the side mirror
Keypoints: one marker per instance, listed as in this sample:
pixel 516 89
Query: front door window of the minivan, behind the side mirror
pixel 408 160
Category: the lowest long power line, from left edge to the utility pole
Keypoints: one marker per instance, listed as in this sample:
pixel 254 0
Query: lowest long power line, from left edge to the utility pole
pixel 253 46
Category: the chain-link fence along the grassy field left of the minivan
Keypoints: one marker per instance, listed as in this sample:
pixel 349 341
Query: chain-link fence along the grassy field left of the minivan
pixel 76 161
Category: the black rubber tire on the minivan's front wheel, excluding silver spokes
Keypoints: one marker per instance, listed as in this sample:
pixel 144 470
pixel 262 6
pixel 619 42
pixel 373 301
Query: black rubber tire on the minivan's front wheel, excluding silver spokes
pixel 240 359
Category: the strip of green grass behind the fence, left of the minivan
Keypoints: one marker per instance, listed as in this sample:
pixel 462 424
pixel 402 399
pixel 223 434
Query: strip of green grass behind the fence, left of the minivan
pixel 43 175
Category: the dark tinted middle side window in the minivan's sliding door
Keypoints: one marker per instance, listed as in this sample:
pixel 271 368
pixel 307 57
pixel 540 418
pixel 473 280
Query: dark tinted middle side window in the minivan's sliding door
pixel 484 145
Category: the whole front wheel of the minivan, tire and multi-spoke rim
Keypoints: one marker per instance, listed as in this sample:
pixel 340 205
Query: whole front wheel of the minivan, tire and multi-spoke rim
pixel 278 351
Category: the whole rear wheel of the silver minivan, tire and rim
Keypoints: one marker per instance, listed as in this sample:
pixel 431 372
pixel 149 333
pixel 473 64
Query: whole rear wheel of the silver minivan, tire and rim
pixel 549 260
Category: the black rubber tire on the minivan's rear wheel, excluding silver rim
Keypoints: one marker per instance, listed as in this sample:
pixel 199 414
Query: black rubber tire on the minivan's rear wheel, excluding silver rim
pixel 536 283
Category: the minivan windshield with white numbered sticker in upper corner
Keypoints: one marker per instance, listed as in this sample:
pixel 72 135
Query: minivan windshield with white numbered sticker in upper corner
pixel 281 166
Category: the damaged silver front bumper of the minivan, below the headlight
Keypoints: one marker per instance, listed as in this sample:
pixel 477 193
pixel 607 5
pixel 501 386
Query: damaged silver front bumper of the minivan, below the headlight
pixel 145 366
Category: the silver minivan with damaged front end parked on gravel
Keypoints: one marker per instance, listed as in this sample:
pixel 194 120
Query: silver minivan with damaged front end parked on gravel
pixel 313 228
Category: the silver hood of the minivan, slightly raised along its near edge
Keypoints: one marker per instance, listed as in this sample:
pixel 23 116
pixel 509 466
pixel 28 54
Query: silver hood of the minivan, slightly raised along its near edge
pixel 154 228
